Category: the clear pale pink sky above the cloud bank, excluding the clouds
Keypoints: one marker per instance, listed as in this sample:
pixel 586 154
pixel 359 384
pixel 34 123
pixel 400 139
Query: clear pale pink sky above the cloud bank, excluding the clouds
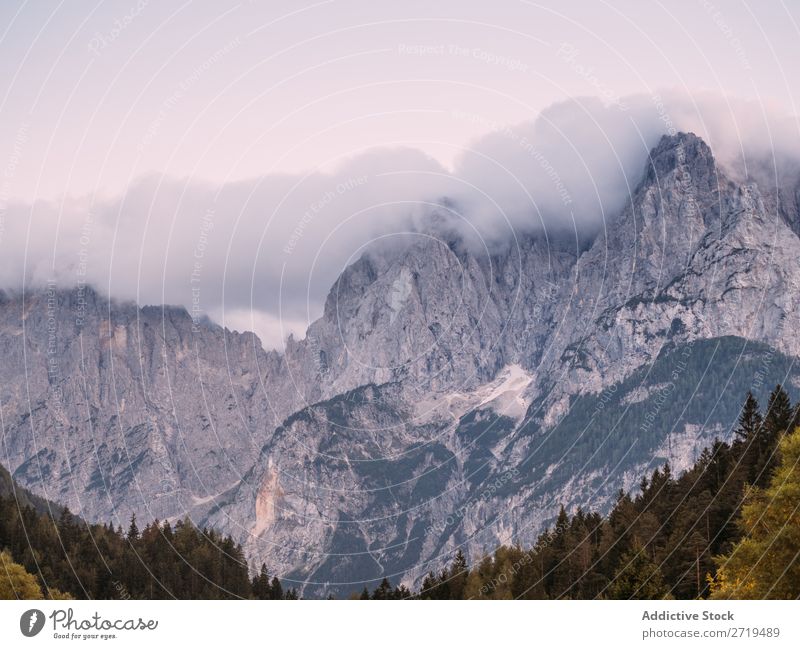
pixel 98 93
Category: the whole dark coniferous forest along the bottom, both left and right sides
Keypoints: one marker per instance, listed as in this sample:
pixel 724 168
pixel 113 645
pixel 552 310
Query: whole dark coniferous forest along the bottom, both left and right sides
pixel 729 527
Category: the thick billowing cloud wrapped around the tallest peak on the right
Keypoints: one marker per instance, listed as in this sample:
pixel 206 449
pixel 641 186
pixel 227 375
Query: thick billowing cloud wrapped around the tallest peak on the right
pixel 577 164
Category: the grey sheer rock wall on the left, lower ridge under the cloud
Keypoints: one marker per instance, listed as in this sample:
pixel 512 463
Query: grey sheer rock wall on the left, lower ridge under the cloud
pixel 113 409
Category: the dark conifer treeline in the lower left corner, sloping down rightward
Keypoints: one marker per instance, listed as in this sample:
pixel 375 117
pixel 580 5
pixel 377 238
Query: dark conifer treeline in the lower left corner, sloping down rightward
pixel 62 555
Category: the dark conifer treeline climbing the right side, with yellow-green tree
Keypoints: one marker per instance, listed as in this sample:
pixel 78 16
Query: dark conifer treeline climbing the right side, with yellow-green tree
pixel 728 527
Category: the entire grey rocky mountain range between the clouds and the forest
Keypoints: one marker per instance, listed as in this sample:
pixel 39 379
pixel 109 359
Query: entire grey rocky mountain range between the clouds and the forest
pixel 447 398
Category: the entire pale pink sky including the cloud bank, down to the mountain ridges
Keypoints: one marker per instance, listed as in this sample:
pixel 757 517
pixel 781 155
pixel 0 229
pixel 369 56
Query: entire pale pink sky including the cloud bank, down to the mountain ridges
pixel 281 136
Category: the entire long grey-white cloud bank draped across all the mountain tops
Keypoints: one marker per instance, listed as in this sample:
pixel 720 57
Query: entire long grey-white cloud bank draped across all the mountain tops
pixel 263 253
